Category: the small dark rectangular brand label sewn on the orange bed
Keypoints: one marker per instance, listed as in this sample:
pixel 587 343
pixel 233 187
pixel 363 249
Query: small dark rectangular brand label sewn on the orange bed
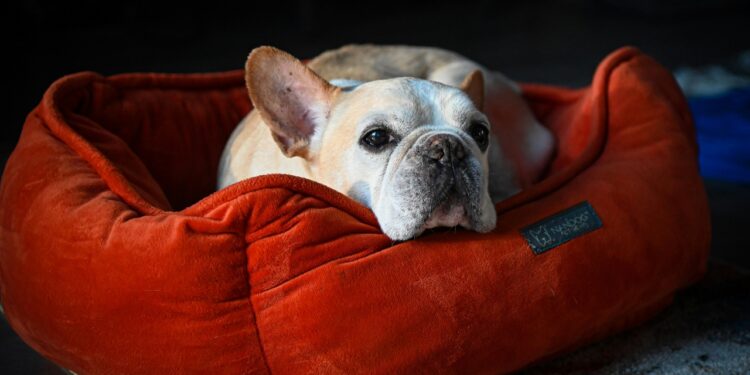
pixel 561 227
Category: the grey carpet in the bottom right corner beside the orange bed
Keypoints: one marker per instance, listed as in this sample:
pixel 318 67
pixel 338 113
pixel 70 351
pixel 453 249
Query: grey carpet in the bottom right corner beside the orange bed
pixel 706 331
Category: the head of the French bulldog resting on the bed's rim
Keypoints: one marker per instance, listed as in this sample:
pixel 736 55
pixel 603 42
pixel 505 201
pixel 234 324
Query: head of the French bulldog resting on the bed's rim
pixel 414 151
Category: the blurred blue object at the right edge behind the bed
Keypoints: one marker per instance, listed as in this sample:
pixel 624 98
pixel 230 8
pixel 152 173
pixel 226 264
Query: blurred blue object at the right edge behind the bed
pixel 723 126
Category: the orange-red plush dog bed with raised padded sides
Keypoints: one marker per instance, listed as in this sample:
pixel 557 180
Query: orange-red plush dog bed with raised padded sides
pixel 116 256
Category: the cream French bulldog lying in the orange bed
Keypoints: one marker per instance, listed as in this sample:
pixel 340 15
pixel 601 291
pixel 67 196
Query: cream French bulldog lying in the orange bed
pixel 400 129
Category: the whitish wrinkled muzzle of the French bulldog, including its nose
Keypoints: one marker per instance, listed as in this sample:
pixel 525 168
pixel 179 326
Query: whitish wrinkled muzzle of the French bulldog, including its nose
pixel 438 182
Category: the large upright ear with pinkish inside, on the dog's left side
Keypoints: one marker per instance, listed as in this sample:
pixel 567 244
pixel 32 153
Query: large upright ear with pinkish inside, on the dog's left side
pixel 292 100
